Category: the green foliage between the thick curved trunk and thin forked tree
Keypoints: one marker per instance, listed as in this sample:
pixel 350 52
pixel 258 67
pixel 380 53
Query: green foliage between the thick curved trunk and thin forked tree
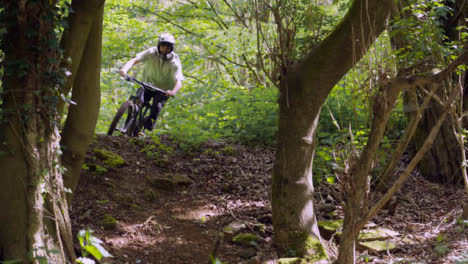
pixel 349 108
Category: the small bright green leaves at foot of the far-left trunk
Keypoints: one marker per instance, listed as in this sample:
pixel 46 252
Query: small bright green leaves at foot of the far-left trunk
pixel 90 245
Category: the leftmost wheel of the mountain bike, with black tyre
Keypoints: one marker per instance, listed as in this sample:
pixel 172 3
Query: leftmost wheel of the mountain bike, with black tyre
pixel 124 119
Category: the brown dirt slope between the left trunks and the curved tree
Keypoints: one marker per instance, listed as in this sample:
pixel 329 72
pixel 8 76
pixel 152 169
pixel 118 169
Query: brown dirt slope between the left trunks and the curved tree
pixel 161 222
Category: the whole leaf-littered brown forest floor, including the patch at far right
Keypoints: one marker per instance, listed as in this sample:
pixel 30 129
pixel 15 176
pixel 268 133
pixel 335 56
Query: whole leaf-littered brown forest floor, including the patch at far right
pixel 170 205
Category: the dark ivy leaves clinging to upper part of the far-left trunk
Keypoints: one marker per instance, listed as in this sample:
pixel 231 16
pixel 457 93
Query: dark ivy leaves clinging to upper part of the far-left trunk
pixel 41 58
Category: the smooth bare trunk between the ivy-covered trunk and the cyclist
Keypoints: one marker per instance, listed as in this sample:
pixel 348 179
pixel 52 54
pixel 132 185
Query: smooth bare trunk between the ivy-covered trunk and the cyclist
pixel 85 30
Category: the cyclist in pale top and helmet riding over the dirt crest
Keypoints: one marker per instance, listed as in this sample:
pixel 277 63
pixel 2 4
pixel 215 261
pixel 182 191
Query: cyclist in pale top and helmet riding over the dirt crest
pixel 161 68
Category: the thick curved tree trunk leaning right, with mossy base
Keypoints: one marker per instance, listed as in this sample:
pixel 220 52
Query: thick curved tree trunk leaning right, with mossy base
pixel 303 90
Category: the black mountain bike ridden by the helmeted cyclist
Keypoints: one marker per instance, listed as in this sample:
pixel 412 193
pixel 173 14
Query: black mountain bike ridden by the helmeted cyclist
pixel 133 113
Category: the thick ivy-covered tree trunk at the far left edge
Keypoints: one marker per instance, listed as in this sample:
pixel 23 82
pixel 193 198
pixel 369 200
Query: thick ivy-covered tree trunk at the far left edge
pixel 34 219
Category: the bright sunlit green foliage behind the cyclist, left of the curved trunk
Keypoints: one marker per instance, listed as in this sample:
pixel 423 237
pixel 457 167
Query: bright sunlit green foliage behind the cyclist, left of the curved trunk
pixel 226 94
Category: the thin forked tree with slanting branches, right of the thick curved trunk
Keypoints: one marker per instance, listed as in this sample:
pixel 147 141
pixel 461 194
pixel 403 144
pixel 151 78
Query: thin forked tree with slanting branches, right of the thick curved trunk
pixel 356 211
